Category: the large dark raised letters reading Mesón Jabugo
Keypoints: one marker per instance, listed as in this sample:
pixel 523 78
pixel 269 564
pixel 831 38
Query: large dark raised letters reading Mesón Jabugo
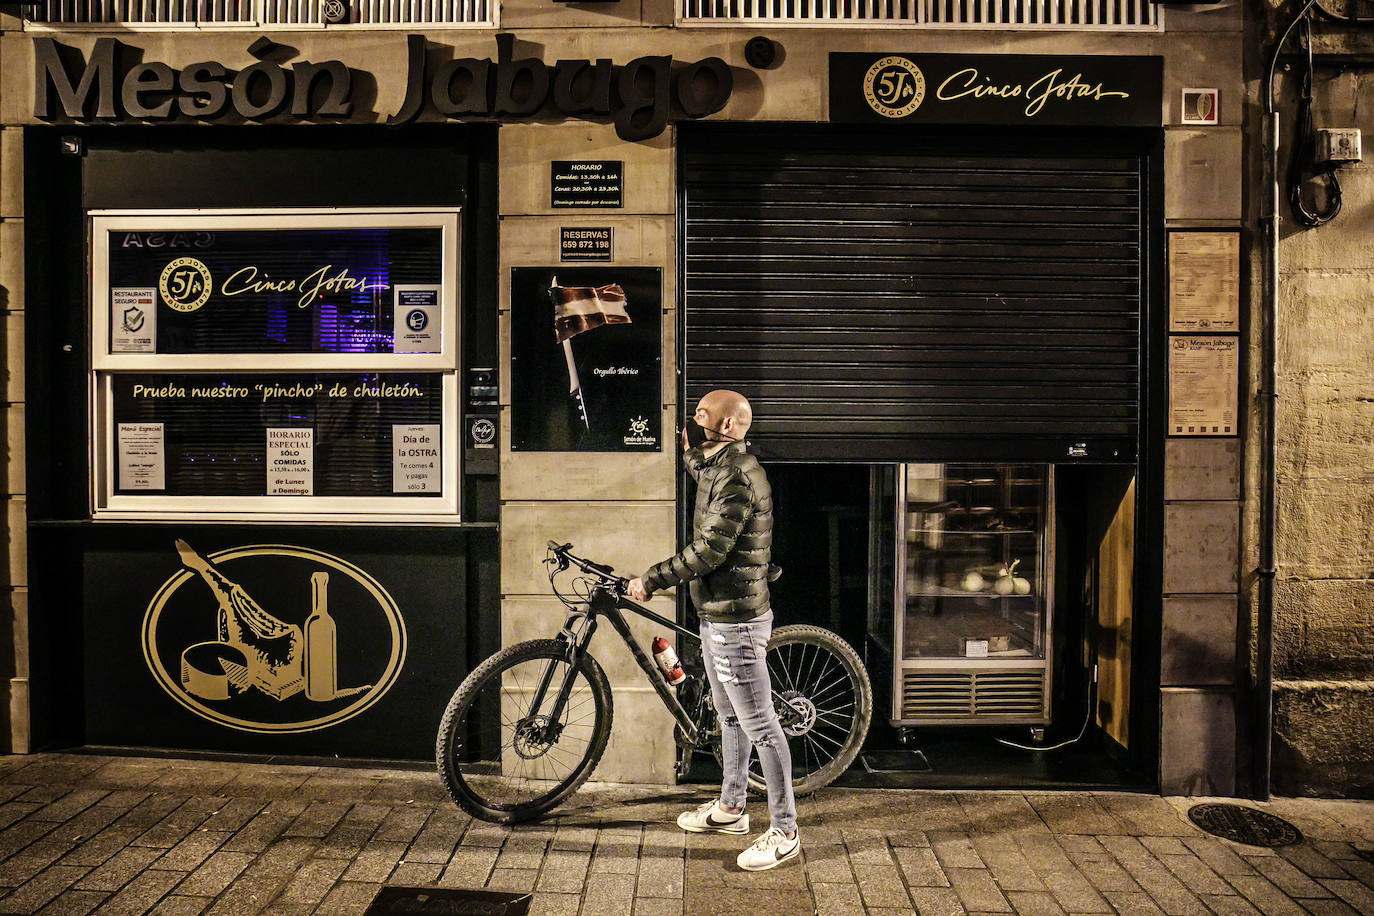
pixel 115 84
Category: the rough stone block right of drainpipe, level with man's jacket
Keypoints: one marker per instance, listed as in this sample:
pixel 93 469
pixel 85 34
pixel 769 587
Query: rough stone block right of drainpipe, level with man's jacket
pixel 1324 528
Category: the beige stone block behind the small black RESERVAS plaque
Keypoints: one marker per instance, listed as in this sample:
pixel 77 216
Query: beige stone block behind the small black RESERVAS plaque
pixel 532 241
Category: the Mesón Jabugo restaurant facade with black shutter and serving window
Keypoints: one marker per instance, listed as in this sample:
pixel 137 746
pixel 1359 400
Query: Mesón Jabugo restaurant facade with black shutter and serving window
pixel 292 420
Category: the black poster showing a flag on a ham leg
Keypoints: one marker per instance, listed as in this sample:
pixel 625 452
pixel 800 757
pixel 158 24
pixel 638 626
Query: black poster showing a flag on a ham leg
pixel 586 359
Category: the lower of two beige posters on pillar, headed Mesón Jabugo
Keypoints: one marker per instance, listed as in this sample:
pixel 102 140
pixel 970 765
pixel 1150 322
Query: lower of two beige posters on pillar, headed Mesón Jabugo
pixel 1204 376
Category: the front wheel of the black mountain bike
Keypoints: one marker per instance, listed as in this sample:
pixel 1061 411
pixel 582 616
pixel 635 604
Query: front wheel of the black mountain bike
pixel 502 752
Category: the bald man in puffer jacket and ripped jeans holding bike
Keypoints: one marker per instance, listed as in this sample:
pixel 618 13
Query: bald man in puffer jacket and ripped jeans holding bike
pixel 728 569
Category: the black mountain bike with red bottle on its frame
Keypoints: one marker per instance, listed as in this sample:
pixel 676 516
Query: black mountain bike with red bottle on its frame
pixel 528 726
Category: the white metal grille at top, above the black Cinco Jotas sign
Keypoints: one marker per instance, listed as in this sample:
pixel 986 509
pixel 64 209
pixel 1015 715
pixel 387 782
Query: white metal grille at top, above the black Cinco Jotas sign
pixel 969 14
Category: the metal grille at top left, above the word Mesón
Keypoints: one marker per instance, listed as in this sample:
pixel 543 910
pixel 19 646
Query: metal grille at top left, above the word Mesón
pixel 199 13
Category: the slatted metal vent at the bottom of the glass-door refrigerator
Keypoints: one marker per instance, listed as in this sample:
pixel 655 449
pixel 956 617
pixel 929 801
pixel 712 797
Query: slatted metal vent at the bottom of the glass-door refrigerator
pixel 958 697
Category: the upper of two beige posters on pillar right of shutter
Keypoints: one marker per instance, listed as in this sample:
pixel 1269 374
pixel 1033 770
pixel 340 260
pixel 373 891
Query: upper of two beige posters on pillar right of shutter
pixel 1204 282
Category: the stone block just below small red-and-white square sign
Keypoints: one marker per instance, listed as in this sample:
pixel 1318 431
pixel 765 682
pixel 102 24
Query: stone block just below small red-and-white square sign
pixel 1203 174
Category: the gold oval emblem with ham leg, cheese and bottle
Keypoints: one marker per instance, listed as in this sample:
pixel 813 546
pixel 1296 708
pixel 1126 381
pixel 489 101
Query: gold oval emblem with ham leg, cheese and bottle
pixel 273 638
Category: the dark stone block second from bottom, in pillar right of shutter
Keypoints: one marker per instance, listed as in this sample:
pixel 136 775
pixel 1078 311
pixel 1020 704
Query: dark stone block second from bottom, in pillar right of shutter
pixel 1199 641
